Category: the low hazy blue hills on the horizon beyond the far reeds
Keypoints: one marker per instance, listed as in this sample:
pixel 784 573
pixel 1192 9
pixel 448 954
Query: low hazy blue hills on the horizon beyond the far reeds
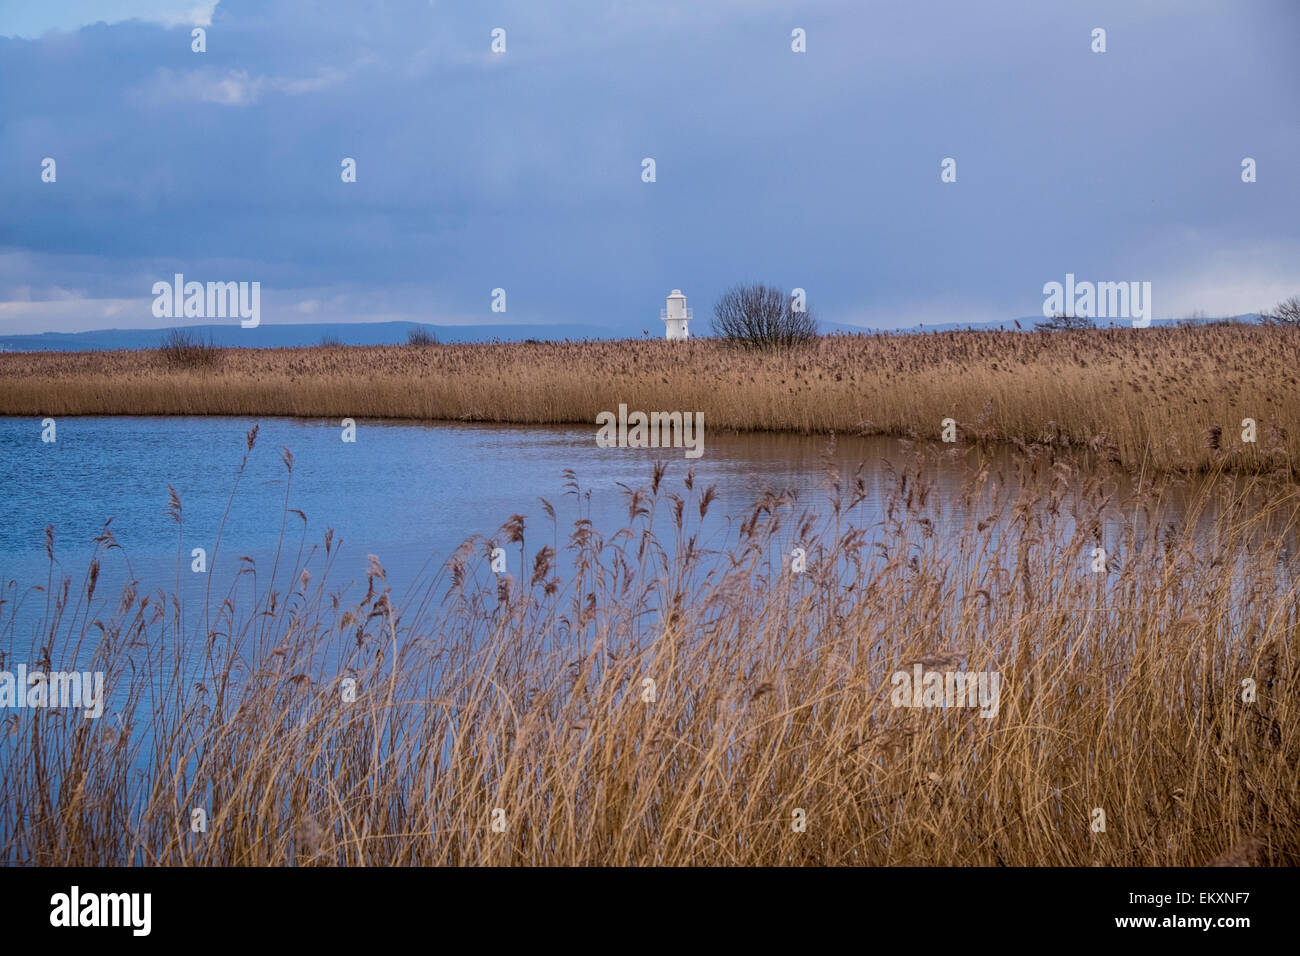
pixel 396 334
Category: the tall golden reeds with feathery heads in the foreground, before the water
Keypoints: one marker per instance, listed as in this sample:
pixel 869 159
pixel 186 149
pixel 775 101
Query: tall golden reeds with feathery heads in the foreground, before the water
pixel 527 695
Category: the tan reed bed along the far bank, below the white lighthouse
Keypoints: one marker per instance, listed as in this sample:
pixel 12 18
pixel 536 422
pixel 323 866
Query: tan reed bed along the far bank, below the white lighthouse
pixel 1162 399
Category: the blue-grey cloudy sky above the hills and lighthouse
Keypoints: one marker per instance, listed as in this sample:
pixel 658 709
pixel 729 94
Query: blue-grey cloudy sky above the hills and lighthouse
pixel 525 170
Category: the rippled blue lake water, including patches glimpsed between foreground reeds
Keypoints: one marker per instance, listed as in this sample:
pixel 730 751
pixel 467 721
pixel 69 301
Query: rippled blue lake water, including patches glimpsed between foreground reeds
pixel 411 494
